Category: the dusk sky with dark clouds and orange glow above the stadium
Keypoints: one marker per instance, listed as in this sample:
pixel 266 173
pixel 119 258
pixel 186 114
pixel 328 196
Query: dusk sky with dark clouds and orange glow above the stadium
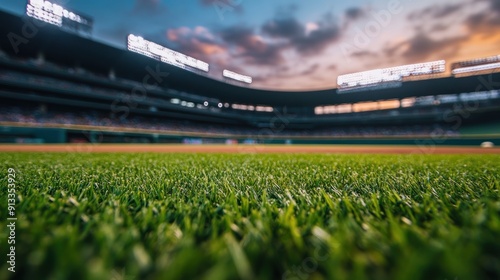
pixel 297 44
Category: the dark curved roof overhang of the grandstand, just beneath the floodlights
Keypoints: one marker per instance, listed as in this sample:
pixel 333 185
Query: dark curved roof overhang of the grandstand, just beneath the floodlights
pixel 65 48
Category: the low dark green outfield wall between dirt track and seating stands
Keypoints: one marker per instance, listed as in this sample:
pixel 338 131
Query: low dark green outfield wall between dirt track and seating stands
pixel 20 134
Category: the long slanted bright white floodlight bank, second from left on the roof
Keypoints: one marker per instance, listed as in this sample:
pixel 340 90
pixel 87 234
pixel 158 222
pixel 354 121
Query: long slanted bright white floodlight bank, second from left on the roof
pixel 153 50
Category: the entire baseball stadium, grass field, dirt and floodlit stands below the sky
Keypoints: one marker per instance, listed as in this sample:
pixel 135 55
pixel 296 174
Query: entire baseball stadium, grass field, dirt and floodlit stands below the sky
pixel 136 163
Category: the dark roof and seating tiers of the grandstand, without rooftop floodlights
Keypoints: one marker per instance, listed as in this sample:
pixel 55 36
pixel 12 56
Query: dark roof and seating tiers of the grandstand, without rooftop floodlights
pixel 90 83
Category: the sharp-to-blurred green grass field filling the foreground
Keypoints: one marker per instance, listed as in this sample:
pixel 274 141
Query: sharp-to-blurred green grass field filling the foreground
pixel 252 216
